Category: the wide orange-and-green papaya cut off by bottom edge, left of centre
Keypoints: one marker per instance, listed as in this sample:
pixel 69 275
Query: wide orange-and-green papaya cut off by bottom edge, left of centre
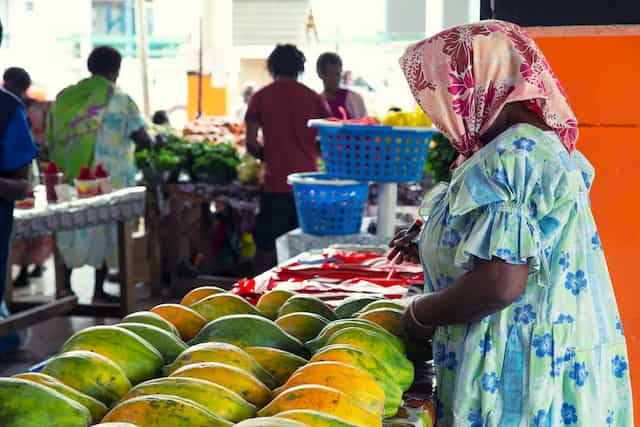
pixel 158 410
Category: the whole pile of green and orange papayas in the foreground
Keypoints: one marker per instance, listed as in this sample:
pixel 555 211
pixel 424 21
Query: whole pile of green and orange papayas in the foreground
pixel 217 360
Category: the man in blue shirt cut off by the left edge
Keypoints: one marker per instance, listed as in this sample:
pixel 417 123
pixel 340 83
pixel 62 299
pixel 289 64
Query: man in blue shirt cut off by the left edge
pixel 17 149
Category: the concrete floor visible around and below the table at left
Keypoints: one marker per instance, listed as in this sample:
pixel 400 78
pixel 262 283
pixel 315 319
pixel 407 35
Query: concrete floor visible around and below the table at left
pixel 44 339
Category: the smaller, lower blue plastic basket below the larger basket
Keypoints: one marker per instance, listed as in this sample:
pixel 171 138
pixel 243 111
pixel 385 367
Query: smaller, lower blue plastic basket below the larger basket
pixel 328 206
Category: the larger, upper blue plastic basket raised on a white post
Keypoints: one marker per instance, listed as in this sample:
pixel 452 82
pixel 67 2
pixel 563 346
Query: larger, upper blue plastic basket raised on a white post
pixel 372 152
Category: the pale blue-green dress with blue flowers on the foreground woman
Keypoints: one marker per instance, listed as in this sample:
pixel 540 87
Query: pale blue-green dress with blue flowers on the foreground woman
pixel 557 356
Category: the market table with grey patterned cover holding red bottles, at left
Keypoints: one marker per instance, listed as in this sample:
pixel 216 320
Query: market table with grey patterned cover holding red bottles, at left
pixel 118 207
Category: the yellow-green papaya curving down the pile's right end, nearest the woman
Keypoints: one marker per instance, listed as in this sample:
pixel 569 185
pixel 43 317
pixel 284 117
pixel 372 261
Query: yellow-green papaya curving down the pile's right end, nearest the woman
pixel 381 348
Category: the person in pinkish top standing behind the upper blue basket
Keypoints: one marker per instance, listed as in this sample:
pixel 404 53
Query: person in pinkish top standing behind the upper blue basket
pixel 341 100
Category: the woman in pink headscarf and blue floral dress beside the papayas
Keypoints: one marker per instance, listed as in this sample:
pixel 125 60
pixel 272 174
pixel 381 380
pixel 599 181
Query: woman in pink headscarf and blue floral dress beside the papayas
pixel 519 302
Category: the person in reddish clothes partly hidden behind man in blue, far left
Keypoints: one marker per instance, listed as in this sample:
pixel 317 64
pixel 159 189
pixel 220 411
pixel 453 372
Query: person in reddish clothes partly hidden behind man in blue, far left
pixel 26 251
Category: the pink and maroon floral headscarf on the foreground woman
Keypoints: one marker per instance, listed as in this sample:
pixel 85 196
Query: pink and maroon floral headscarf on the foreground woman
pixel 464 76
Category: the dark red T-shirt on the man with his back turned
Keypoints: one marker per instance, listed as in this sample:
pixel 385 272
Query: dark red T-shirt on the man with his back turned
pixel 282 109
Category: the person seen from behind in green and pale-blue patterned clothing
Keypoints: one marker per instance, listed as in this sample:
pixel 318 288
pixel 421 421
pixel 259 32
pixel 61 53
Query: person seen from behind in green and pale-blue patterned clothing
pixel 95 122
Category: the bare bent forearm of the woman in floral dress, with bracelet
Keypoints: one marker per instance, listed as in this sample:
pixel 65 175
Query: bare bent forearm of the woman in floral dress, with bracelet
pixel 490 287
